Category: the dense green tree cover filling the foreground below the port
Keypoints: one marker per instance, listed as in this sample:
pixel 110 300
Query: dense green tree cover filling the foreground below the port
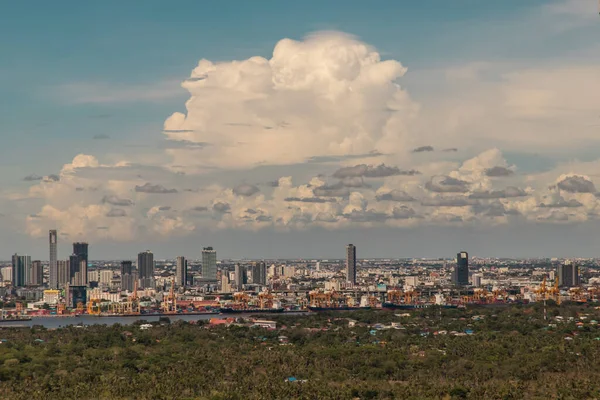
pixel 480 353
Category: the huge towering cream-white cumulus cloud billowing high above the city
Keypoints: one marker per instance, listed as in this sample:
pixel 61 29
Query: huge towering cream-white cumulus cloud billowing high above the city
pixel 329 94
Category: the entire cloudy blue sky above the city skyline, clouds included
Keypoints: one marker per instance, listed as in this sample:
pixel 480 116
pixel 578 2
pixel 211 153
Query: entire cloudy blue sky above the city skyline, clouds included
pixel 287 129
